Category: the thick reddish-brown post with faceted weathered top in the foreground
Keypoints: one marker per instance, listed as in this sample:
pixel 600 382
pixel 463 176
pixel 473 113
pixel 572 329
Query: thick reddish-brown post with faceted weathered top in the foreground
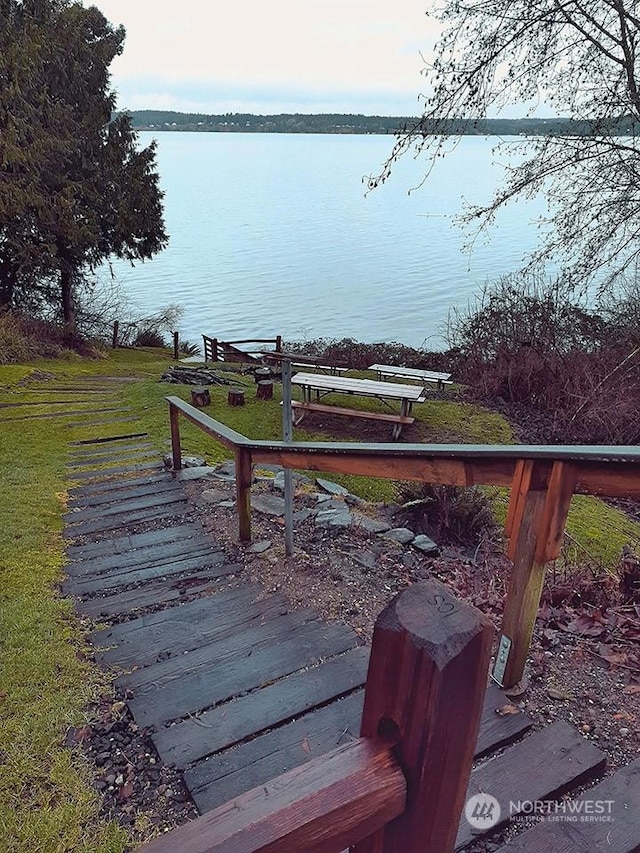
pixel 426 682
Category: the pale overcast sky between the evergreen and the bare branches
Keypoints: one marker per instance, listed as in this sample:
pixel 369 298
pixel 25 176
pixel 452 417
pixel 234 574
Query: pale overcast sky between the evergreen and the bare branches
pixel 215 56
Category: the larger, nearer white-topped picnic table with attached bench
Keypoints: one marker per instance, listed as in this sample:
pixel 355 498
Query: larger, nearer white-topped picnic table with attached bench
pixel 321 385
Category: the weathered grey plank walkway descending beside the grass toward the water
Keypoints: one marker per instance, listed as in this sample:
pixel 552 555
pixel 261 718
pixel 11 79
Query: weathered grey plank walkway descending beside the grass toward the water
pixel 239 688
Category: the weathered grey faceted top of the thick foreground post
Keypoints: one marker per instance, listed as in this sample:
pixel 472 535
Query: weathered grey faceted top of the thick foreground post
pixel 434 620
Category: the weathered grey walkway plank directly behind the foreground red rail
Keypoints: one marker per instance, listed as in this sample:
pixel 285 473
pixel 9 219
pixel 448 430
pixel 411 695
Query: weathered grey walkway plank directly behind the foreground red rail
pixel 232 772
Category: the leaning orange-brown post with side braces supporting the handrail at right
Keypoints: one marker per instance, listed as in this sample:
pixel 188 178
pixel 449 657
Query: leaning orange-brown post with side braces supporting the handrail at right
pixel 536 519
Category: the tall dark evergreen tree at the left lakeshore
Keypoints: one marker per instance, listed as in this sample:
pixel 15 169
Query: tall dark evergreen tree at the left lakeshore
pixel 74 187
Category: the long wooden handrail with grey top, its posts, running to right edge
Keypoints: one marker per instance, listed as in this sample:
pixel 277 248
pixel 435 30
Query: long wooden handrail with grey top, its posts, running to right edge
pixel 542 480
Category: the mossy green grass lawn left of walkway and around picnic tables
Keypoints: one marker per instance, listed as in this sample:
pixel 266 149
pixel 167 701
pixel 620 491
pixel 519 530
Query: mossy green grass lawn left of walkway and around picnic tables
pixel 46 684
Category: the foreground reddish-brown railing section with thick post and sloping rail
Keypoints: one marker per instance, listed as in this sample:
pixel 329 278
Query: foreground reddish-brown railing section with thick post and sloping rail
pixel 401 787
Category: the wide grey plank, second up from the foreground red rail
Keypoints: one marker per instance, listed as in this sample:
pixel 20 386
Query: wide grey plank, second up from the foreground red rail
pixel 272 706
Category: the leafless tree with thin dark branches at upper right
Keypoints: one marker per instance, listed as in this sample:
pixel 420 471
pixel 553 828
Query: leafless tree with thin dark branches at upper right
pixel 579 59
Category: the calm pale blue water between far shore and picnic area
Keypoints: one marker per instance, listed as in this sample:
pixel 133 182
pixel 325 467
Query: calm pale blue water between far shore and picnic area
pixel 273 234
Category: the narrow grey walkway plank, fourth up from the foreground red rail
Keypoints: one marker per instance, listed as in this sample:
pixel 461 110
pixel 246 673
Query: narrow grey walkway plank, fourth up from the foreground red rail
pixel 227 647
